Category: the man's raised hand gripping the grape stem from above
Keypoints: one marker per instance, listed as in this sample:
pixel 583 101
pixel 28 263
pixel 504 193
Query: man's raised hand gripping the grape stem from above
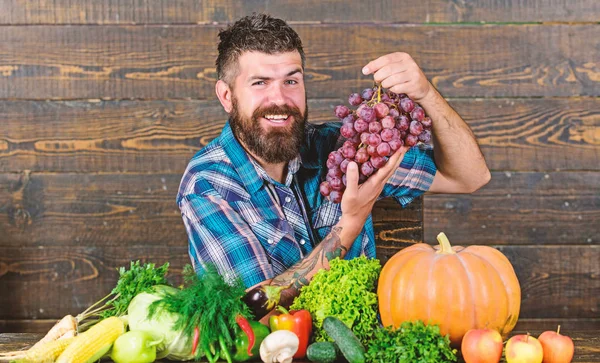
pixel 399 73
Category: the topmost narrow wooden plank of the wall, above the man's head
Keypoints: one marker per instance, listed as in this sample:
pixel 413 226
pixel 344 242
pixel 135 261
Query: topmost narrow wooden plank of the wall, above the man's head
pixel 189 11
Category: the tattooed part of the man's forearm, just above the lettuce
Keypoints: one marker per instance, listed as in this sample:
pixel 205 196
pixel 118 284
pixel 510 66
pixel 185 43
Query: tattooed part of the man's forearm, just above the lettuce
pixel 297 275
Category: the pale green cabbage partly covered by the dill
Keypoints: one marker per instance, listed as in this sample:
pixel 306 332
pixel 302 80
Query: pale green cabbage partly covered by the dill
pixel 175 345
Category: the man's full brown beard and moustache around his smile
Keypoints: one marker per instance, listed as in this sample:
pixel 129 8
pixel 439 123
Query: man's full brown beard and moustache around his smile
pixel 274 145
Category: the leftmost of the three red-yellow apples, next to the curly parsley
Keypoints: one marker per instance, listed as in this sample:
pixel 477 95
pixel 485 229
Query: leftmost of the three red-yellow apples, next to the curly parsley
pixel 482 346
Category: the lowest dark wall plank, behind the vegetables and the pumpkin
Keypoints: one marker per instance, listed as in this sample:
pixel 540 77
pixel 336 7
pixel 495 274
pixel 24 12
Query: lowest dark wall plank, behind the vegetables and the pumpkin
pixel 58 281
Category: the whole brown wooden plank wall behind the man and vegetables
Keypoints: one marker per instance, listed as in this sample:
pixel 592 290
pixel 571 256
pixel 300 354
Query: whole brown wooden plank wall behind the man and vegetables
pixel 102 103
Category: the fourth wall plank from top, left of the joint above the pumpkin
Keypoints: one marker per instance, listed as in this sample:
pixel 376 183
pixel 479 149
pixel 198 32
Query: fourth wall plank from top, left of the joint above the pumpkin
pixel 109 210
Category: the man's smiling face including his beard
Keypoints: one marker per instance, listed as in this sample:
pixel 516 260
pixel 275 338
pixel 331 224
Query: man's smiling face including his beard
pixel 268 108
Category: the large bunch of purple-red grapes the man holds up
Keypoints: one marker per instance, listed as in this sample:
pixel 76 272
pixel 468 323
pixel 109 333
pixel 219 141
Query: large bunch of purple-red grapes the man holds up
pixel 381 124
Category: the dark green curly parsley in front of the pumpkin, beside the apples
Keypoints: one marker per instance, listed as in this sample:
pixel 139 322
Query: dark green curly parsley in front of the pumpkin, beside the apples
pixel 412 342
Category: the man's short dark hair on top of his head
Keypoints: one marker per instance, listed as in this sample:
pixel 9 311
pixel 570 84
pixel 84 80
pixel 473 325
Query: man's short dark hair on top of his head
pixel 256 32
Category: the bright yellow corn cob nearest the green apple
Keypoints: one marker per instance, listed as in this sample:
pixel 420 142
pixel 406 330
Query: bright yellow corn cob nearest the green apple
pixel 91 345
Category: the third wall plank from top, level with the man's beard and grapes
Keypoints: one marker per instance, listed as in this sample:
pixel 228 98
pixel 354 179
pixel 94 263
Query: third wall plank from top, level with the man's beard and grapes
pixel 544 134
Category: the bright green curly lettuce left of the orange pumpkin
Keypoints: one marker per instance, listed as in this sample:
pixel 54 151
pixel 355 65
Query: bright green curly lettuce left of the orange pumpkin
pixel 346 291
